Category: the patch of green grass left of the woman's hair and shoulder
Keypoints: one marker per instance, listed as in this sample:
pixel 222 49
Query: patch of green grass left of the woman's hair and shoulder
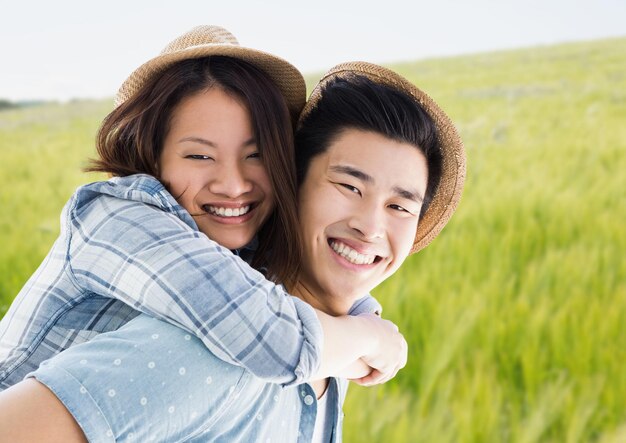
pixel 42 151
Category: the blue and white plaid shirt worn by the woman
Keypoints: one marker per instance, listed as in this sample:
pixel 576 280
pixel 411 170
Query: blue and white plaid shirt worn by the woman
pixel 126 246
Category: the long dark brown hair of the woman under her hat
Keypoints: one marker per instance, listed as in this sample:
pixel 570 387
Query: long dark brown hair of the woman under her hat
pixel 130 141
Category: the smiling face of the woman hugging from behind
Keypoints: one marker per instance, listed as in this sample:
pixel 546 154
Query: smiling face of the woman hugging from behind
pixel 211 164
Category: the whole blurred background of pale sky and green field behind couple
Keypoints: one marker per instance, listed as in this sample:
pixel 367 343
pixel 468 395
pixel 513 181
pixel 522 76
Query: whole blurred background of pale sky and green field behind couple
pixel 516 315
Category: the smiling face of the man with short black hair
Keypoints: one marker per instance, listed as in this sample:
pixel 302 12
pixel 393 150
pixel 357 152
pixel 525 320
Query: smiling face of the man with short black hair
pixel 359 209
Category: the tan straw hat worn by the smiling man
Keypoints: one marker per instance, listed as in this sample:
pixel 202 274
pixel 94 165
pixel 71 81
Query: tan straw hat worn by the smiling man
pixel 448 193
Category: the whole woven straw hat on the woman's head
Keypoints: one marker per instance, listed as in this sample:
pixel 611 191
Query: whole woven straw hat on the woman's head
pixel 203 41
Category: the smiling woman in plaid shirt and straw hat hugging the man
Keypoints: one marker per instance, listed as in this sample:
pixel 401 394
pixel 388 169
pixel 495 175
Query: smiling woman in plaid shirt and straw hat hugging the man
pixel 148 240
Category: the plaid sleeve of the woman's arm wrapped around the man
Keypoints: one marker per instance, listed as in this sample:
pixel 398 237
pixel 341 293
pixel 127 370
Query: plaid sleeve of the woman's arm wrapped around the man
pixel 157 264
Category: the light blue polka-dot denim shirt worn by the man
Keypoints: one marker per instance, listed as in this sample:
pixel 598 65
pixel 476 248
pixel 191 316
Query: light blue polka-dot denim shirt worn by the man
pixel 150 381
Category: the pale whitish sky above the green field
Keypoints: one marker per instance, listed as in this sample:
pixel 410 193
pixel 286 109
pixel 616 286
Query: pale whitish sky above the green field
pixel 64 49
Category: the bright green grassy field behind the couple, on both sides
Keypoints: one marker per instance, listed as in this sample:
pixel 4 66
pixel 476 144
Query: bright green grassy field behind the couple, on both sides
pixel 516 315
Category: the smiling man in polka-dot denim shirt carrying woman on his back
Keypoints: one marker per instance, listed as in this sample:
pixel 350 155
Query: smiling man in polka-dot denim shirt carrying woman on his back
pixel 381 170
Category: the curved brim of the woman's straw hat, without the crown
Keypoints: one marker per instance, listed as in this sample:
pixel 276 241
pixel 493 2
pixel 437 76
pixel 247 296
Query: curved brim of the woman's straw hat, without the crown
pixel 287 77
